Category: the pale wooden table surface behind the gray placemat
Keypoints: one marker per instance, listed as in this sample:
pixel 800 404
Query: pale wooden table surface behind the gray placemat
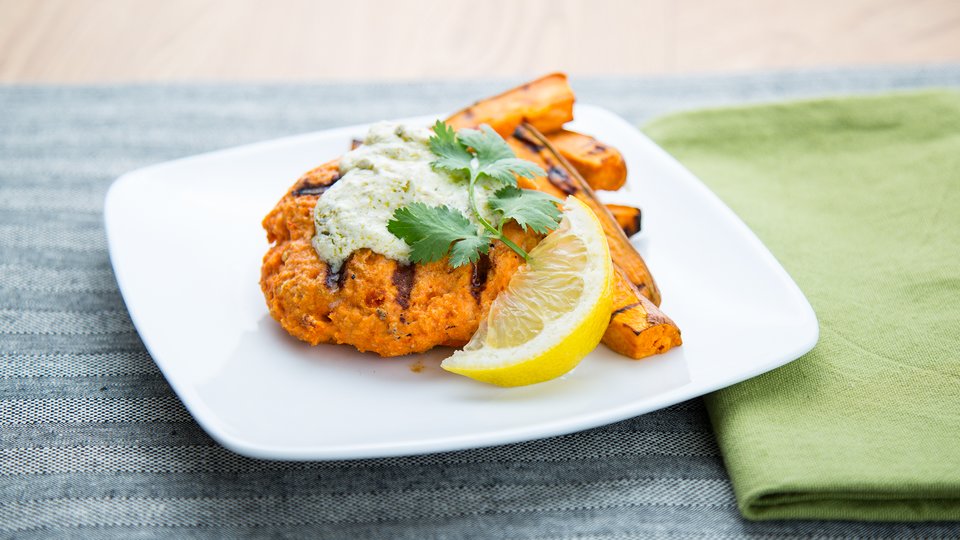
pixel 259 40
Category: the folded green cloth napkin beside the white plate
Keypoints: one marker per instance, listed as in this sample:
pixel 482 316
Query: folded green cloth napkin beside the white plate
pixel 859 199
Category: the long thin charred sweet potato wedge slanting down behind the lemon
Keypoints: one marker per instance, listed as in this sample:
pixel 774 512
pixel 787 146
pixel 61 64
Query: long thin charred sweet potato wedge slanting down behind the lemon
pixel 565 178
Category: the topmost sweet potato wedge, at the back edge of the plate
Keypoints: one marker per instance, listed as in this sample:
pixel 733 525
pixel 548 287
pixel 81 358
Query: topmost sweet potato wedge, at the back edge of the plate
pixel 546 103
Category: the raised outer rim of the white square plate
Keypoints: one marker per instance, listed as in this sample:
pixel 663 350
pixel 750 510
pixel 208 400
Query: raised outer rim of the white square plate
pixel 209 420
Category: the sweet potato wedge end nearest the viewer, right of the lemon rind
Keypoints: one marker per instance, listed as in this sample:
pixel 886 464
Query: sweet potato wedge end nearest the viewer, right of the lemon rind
pixel 637 327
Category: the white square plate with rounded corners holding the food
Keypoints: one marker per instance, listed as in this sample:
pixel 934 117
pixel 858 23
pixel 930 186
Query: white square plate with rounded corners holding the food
pixel 186 245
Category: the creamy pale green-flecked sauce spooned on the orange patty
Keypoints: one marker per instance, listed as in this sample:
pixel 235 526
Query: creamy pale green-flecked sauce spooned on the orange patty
pixel 390 170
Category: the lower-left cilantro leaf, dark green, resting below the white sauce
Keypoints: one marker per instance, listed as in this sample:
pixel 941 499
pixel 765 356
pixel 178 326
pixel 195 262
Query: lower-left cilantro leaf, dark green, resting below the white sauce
pixel 430 231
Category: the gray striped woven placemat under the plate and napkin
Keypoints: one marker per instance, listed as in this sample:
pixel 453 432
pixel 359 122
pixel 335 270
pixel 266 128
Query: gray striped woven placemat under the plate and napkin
pixel 95 445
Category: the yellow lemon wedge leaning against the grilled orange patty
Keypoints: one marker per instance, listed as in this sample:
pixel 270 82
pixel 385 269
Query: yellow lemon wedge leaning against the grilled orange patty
pixel 553 312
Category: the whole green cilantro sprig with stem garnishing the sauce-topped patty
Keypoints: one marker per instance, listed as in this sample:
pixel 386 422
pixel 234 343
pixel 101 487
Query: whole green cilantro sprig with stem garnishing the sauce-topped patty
pixel 474 157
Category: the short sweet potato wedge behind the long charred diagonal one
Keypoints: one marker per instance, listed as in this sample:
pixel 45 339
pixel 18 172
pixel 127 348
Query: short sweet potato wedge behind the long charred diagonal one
pixel 600 165
